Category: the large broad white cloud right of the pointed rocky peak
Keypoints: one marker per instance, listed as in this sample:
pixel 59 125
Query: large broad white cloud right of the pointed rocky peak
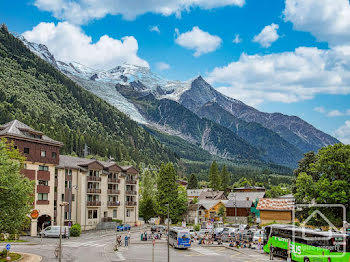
pixel 284 77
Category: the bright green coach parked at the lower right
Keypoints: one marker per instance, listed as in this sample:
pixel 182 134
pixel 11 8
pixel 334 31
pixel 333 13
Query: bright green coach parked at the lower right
pixel 307 245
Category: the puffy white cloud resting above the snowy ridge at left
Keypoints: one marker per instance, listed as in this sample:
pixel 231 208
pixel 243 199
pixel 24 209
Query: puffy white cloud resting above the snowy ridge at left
pixel 69 43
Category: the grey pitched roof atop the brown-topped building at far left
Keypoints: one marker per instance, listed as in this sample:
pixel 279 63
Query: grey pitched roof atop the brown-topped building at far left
pixel 18 129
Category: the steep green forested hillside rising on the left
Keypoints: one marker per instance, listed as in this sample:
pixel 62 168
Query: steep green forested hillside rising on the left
pixel 37 94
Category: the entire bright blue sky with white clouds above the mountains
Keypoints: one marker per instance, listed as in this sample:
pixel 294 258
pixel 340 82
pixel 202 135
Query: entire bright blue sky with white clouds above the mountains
pixel 293 56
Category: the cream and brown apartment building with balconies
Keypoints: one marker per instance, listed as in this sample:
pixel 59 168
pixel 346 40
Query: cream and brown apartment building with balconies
pixel 96 191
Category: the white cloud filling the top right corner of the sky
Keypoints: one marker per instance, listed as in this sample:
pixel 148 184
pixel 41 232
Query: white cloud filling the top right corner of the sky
pixel 327 20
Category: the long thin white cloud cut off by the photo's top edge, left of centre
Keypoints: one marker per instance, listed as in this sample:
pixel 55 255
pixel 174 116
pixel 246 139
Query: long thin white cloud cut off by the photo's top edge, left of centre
pixel 82 11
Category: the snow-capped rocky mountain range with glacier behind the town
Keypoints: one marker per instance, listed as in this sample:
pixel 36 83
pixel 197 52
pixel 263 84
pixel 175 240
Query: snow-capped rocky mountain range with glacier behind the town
pixel 135 90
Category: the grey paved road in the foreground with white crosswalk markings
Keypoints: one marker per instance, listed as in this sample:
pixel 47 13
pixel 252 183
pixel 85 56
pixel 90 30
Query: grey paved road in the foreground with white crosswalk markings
pixel 99 246
